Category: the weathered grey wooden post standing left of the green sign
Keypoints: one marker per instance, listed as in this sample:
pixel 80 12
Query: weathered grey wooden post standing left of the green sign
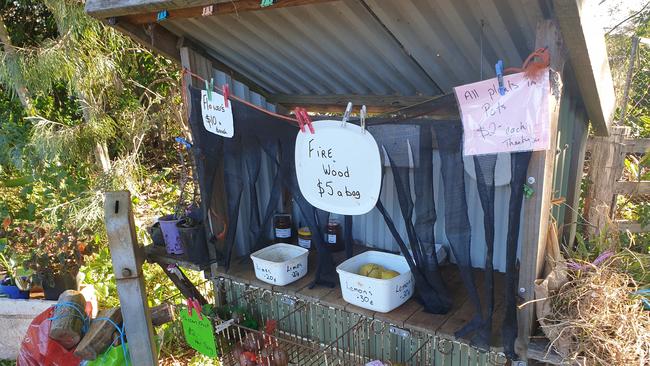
pixel 127 257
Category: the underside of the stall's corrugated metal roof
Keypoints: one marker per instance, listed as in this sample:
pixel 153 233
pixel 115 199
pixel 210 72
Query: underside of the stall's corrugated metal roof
pixel 369 47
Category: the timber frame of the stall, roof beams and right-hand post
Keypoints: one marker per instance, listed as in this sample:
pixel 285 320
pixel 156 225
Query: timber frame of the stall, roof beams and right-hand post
pixel 567 35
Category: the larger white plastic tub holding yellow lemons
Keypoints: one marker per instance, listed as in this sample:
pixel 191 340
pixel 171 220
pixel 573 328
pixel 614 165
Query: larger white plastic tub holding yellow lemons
pixel 372 293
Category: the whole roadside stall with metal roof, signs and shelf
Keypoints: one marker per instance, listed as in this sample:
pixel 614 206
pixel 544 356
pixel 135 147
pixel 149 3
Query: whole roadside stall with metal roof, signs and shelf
pixel 375 179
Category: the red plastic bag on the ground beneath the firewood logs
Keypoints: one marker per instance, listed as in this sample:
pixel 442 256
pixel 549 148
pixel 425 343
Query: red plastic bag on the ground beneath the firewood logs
pixel 37 349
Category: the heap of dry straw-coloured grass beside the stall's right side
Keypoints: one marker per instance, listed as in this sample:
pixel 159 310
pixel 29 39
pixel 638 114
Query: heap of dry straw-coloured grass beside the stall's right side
pixel 597 321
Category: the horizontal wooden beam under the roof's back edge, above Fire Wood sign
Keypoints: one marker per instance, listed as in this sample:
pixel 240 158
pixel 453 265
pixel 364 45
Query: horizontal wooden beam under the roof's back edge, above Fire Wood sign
pixel 441 105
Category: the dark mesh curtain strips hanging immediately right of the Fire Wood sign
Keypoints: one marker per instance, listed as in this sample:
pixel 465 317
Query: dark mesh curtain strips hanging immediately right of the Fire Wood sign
pixel 405 145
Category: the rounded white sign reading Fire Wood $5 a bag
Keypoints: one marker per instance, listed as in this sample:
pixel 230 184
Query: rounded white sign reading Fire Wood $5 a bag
pixel 338 168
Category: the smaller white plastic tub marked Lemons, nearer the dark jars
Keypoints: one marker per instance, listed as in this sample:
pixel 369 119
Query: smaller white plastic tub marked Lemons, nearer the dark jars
pixel 280 264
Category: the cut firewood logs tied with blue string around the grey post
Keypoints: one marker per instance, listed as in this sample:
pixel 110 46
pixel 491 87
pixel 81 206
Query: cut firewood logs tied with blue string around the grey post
pixel 67 325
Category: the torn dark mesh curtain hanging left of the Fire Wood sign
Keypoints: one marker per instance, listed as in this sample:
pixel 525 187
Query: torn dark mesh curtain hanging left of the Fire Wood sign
pixel 258 136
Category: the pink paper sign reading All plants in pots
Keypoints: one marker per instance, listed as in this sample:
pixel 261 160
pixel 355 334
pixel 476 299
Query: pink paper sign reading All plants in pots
pixel 516 121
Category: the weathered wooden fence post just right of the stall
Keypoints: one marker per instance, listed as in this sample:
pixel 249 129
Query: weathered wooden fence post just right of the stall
pixel 607 160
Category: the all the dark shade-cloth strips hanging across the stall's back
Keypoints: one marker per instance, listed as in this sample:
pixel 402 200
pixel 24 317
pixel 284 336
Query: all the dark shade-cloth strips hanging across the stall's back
pixel 408 142
